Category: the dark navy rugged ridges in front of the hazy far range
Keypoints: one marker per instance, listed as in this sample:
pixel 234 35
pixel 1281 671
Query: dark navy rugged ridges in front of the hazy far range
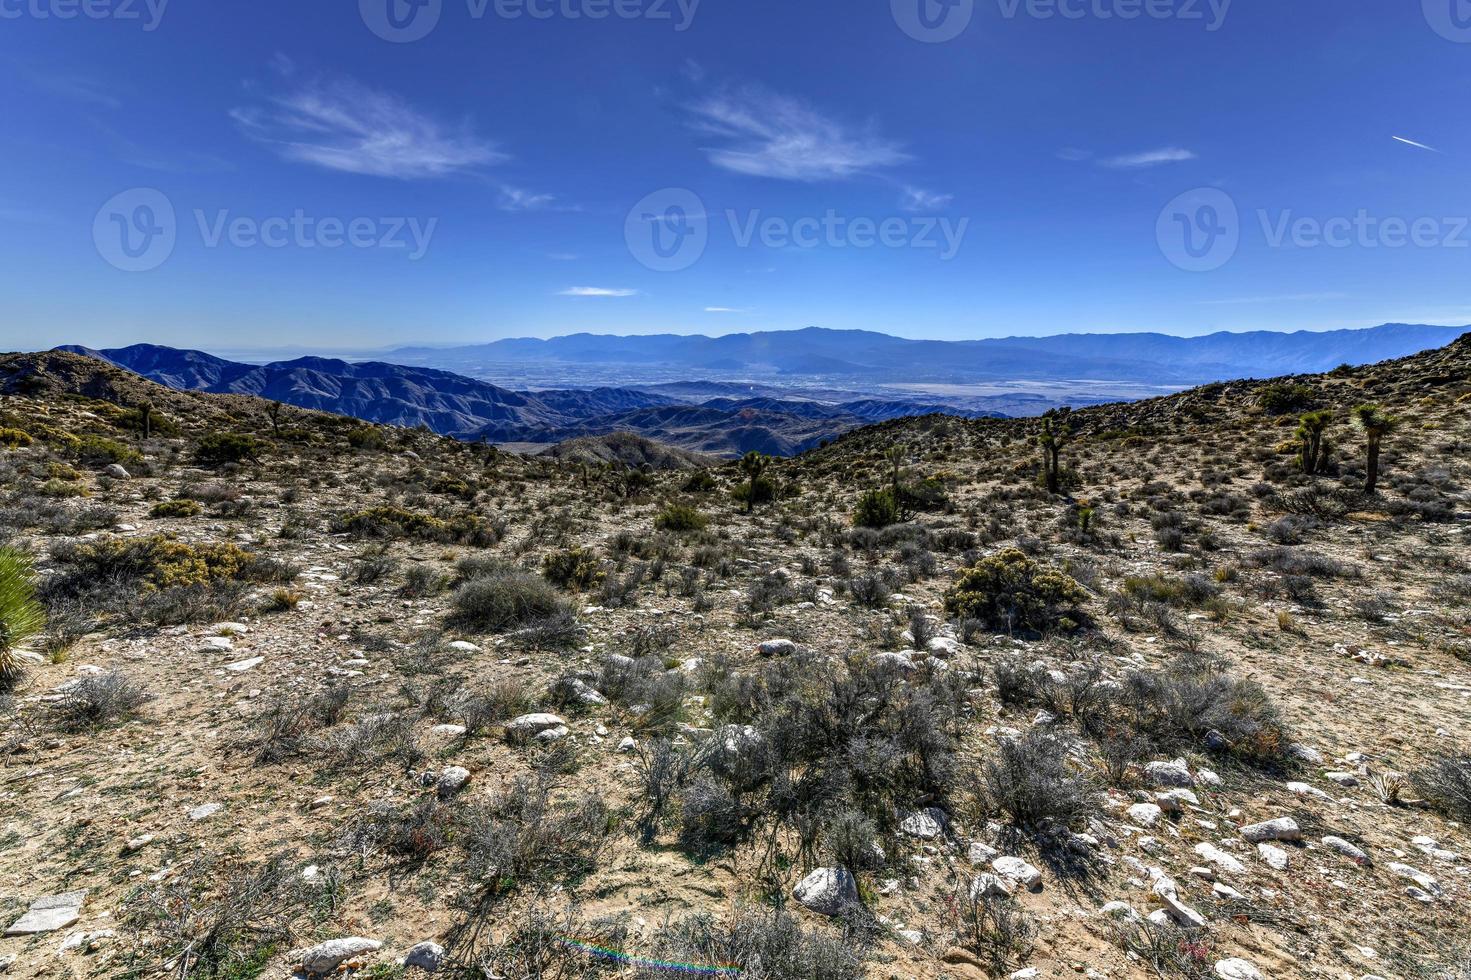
pixel 466 408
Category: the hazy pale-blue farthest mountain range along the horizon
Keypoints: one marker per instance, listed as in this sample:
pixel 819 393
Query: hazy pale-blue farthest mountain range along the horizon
pixel 883 360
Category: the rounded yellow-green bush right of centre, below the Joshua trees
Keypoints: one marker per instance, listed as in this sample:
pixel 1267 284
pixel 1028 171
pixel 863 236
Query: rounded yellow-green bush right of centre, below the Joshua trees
pixel 1013 592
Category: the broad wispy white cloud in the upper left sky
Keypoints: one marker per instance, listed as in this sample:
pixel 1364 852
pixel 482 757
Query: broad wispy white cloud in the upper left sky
pixel 345 126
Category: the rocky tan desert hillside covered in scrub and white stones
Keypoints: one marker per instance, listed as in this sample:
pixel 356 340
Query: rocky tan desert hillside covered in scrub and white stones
pixel 1142 691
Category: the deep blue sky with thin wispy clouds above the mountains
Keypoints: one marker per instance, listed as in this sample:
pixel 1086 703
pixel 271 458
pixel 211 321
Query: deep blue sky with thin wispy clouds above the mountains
pixel 491 168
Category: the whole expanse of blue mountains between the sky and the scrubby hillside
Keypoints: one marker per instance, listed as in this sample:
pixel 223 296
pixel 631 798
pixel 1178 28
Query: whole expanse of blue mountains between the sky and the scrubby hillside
pixel 726 417
